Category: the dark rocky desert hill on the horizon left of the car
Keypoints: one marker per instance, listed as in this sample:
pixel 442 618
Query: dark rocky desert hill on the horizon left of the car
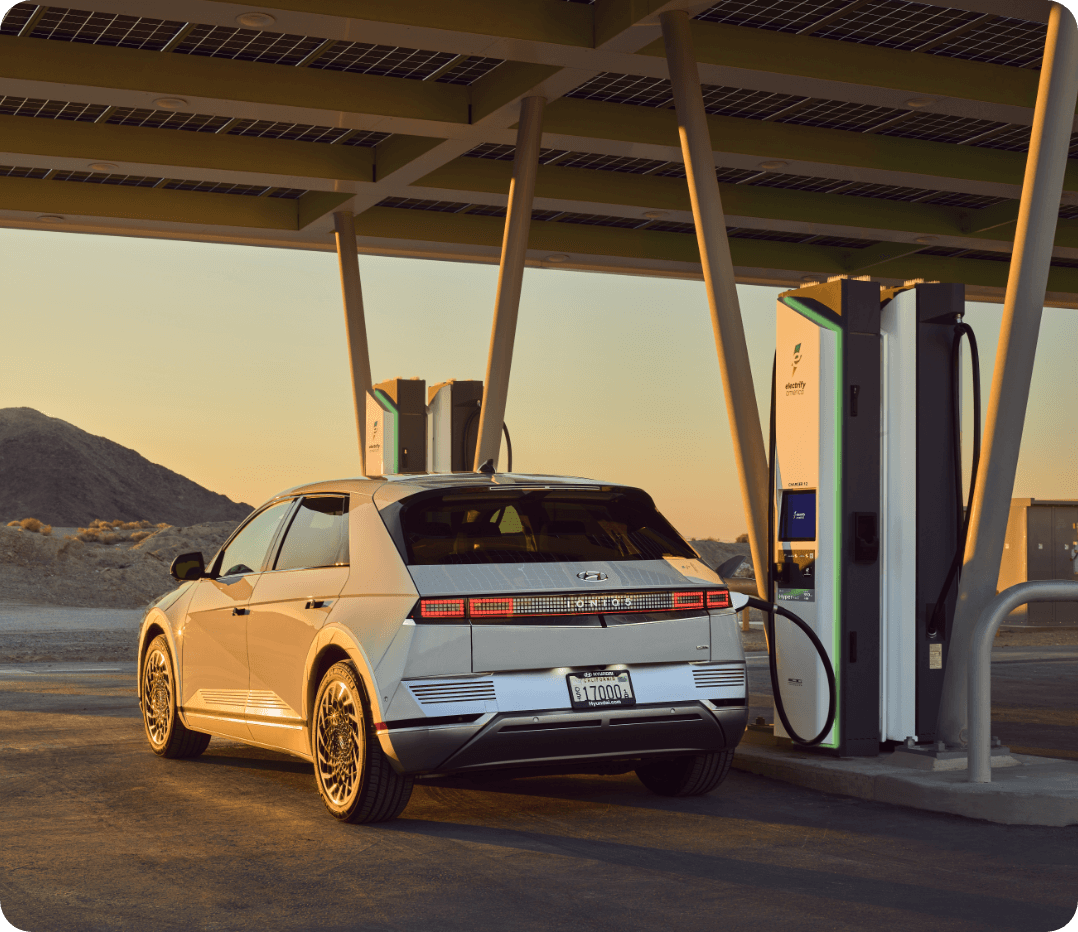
pixel 56 472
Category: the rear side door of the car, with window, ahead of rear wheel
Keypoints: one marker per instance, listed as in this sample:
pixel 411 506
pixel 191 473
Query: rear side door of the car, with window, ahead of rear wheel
pixel 292 602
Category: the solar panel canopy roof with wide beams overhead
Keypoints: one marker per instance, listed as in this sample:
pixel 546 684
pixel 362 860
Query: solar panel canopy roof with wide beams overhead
pixel 860 137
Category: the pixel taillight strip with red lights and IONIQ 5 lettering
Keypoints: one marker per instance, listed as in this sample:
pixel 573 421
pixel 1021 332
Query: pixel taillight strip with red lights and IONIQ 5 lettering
pixel 574 604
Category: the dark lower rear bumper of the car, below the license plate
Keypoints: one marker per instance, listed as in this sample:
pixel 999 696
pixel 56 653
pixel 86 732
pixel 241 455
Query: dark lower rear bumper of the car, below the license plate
pixel 528 739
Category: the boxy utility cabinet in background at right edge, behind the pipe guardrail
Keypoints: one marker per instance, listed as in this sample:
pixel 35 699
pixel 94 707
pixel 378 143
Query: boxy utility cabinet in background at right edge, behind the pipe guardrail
pixel 1042 544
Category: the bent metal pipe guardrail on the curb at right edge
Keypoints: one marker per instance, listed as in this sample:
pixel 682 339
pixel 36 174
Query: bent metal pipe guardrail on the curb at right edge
pixel 980 663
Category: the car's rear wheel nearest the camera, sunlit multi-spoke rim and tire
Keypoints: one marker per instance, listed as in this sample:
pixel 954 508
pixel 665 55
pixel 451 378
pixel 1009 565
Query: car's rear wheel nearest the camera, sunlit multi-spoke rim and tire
pixel 354 776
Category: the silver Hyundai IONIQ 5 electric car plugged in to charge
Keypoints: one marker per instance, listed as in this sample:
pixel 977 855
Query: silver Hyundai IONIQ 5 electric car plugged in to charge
pixel 393 629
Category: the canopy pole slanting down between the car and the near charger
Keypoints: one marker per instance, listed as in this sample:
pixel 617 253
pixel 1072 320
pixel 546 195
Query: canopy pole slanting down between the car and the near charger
pixel 727 323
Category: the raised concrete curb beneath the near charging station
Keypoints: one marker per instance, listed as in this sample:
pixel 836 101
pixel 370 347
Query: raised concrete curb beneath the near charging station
pixel 1040 791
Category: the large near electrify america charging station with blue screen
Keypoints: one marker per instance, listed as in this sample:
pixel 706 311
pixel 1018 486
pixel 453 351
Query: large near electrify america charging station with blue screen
pixel 867 513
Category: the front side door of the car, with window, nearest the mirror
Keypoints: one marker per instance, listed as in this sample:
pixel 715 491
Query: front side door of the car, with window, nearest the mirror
pixel 216 677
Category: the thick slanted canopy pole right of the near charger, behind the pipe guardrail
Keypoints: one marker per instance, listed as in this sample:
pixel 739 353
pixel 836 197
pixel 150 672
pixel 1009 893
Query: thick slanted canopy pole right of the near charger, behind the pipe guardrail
pixel 1027 284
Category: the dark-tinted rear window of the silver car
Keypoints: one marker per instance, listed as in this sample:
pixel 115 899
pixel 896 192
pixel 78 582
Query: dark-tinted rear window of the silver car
pixel 522 526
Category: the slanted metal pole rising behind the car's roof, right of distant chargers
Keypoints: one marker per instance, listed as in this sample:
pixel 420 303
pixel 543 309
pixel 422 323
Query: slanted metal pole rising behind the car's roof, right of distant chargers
pixel 515 247
